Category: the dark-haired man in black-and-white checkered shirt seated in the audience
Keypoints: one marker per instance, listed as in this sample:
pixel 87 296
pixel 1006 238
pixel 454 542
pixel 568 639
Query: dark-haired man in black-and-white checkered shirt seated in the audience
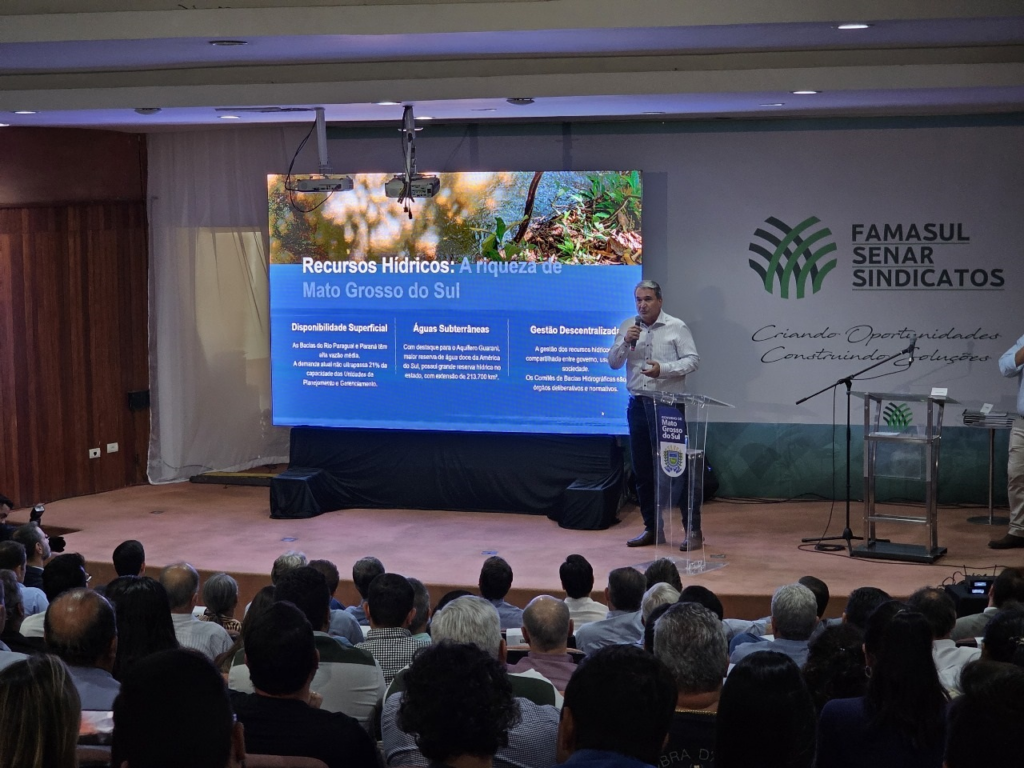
pixel 390 608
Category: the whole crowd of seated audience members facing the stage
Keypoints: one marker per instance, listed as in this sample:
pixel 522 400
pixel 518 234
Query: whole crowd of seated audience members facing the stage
pixel 654 673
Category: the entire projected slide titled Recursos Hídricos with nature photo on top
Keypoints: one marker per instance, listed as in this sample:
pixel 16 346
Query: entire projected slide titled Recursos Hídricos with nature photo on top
pixel 491 308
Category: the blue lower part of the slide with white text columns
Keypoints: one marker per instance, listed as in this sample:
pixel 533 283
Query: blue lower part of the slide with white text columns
pixel 502 396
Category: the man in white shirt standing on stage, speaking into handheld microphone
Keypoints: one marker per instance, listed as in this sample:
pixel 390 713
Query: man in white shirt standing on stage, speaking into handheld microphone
pixel 658 351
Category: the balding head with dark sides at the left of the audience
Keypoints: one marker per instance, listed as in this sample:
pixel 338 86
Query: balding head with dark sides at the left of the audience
pixel 80 627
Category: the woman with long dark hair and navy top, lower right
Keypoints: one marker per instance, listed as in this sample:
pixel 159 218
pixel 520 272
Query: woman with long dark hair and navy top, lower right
pixel 901 721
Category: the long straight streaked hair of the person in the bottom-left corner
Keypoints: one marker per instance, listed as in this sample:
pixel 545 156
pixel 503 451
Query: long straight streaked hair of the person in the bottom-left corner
pixel 39 715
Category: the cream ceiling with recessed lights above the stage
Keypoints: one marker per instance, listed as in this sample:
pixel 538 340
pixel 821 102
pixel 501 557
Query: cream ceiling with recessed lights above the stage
pixel 95 63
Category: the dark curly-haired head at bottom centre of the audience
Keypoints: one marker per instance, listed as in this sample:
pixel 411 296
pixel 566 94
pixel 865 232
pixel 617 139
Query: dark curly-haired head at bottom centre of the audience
pixel 458 702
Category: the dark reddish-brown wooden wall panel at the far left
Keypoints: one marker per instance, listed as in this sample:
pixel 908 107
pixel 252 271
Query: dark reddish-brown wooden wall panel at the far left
pixel 73 329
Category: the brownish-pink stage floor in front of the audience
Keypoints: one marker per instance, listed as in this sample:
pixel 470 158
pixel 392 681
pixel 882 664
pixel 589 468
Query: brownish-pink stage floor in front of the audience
pixel 228 528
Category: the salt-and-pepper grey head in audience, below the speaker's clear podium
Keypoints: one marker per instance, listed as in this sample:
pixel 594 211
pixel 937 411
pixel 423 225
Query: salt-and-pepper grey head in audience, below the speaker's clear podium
pixel 691 641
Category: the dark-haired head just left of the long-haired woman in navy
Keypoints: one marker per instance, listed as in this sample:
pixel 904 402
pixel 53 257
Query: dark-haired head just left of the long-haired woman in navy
pixel 835 666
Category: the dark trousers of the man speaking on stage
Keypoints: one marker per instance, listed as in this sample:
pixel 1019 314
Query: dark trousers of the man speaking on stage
pixel 643 419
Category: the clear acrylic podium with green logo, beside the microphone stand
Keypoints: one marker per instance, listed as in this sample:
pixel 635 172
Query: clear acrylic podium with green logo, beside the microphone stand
pixel 894 449
